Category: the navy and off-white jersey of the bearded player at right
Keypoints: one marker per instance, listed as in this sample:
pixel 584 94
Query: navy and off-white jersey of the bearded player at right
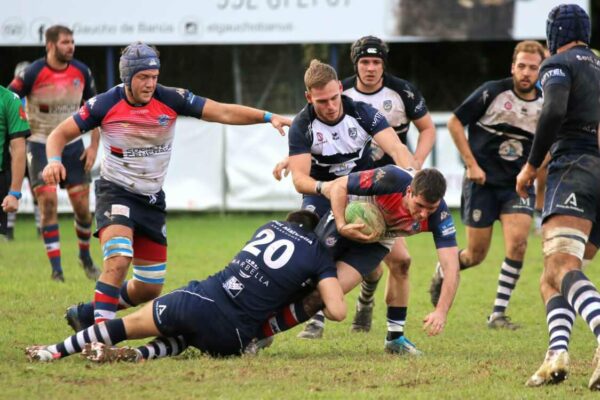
pixel 501 128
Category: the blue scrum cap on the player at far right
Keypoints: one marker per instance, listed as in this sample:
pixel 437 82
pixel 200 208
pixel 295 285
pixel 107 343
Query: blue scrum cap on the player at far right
pixel 567 23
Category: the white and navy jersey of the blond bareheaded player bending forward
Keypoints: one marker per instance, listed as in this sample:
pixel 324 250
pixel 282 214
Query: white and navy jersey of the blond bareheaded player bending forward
pixel 340 148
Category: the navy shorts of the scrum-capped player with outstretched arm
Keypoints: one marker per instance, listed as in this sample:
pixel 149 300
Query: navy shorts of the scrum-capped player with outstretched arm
pixel 146 215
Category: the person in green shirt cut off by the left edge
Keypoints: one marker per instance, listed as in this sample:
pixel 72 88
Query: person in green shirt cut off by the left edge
pixel 14 130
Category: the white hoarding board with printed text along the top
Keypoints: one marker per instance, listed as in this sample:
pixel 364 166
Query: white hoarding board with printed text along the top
pixel 117 22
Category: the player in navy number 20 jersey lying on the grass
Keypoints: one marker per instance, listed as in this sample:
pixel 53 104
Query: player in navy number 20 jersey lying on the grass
pixel 223 313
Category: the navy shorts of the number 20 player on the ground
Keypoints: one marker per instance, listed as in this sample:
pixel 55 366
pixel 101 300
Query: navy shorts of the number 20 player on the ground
pixel 189 312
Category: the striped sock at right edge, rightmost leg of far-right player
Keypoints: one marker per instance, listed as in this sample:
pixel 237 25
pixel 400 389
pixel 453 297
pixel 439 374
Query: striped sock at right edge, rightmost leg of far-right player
pixel 584 298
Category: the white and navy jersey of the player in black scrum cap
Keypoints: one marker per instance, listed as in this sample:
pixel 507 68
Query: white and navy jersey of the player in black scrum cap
pixel 398 100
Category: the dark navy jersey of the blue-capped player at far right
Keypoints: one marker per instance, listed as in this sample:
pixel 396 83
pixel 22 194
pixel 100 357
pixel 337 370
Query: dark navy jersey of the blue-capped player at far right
pixel 577 69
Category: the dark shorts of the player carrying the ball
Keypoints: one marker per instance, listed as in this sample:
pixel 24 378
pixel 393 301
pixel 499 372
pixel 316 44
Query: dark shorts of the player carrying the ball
pixel 363 257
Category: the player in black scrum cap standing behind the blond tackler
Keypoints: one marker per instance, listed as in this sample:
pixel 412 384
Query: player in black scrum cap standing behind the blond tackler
pixel 401 103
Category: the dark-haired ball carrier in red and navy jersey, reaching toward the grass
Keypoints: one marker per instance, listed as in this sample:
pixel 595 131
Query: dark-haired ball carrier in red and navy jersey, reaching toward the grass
pixel 409 206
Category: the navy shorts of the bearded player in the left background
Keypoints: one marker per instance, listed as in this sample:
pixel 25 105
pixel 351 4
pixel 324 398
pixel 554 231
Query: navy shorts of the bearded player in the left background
pixel 36 161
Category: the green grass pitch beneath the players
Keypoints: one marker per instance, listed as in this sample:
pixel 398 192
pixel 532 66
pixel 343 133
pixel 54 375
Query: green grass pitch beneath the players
pixel 467 361
